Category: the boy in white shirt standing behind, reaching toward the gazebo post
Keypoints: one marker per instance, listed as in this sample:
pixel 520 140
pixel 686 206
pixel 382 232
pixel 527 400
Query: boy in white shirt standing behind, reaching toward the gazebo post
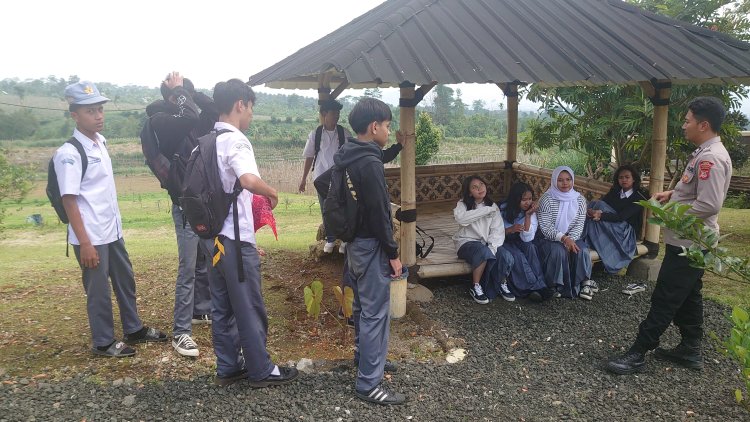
pixel 322 143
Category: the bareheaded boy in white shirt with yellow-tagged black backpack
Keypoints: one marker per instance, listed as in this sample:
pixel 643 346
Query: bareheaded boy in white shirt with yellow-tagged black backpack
pixel 240 323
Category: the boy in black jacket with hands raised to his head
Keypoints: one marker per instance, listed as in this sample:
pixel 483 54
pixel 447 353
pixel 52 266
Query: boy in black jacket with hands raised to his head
pixel 170 134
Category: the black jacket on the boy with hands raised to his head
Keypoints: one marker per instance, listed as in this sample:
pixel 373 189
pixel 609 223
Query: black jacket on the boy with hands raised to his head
pixel 178 126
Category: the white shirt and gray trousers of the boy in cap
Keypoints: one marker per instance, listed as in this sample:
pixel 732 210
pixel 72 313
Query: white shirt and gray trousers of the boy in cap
pixel 96 197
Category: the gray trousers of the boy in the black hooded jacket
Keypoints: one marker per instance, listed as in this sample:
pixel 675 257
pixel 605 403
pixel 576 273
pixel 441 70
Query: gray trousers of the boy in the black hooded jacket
pixel 370 272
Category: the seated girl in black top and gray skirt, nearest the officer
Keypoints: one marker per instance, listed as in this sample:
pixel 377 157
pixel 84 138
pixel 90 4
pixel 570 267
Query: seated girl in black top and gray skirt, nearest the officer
pixel 615 221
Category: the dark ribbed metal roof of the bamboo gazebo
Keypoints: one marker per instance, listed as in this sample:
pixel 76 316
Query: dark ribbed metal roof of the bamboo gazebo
pixel 549 42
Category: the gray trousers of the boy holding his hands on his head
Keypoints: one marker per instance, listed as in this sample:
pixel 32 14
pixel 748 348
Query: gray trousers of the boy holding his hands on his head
pixel 191 294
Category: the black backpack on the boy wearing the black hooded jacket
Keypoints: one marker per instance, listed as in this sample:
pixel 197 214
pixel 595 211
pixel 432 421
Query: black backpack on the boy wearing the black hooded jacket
pixel 340 206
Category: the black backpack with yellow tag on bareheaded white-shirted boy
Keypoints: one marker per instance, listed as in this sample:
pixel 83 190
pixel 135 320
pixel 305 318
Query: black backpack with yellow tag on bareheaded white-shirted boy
pixel 203 200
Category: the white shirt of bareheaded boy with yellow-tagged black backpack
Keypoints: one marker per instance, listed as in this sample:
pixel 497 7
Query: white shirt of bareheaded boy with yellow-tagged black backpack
pixel 236 157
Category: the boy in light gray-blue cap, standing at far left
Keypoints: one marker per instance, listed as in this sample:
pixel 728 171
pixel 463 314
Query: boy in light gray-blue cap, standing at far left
pixel 89 199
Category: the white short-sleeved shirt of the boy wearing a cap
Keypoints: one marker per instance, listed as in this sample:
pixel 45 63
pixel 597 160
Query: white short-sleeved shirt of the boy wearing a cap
pixel 96 195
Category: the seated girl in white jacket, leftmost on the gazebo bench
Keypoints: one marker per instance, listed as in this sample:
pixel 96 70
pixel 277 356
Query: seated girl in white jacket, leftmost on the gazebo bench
pixel 479 242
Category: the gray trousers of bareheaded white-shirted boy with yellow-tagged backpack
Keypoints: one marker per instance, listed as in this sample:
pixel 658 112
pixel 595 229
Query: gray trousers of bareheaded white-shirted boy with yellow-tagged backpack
pixel 240 324
